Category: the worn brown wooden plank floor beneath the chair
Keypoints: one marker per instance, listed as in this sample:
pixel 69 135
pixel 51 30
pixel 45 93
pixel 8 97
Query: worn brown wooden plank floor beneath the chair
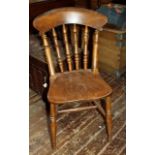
pixel 80 133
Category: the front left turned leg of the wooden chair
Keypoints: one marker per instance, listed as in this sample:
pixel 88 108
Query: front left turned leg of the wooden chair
pixel 53 125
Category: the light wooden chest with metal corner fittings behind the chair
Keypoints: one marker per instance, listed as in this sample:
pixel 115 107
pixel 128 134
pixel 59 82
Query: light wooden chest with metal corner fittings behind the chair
pixel 112 51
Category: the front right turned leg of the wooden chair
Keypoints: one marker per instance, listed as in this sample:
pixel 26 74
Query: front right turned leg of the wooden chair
pixel 108 117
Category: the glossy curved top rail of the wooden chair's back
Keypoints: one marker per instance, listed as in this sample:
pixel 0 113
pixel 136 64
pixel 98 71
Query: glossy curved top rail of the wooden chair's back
pixel 69 15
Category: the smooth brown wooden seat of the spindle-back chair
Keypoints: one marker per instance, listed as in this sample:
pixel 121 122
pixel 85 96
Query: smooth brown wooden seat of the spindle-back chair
pixel 77 86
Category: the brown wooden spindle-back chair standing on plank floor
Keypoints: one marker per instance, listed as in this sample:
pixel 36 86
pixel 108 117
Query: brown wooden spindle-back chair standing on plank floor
pixel 76 84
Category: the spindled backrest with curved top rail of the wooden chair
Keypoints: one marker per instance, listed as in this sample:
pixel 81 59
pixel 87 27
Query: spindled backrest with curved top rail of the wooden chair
pixel 51 20
